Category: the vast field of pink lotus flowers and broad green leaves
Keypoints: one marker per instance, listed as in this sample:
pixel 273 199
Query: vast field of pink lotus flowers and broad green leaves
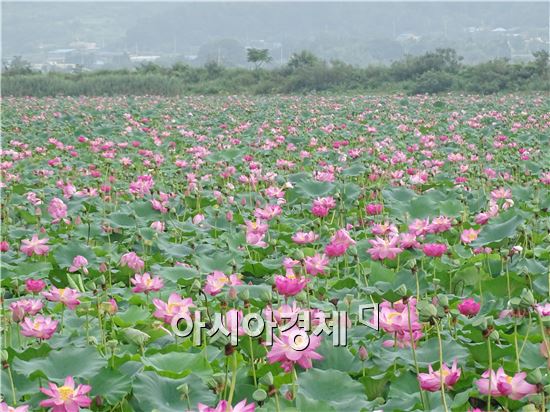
pixel 121 215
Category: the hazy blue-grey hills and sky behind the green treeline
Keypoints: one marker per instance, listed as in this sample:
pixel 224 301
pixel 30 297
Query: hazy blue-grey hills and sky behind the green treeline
pixel 358 33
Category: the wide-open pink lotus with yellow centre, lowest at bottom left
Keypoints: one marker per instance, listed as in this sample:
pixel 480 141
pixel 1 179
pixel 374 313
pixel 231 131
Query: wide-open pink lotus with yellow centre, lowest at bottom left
pixel 66 398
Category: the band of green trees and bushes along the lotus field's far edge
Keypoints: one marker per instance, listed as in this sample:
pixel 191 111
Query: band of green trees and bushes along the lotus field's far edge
pixel 435 72
